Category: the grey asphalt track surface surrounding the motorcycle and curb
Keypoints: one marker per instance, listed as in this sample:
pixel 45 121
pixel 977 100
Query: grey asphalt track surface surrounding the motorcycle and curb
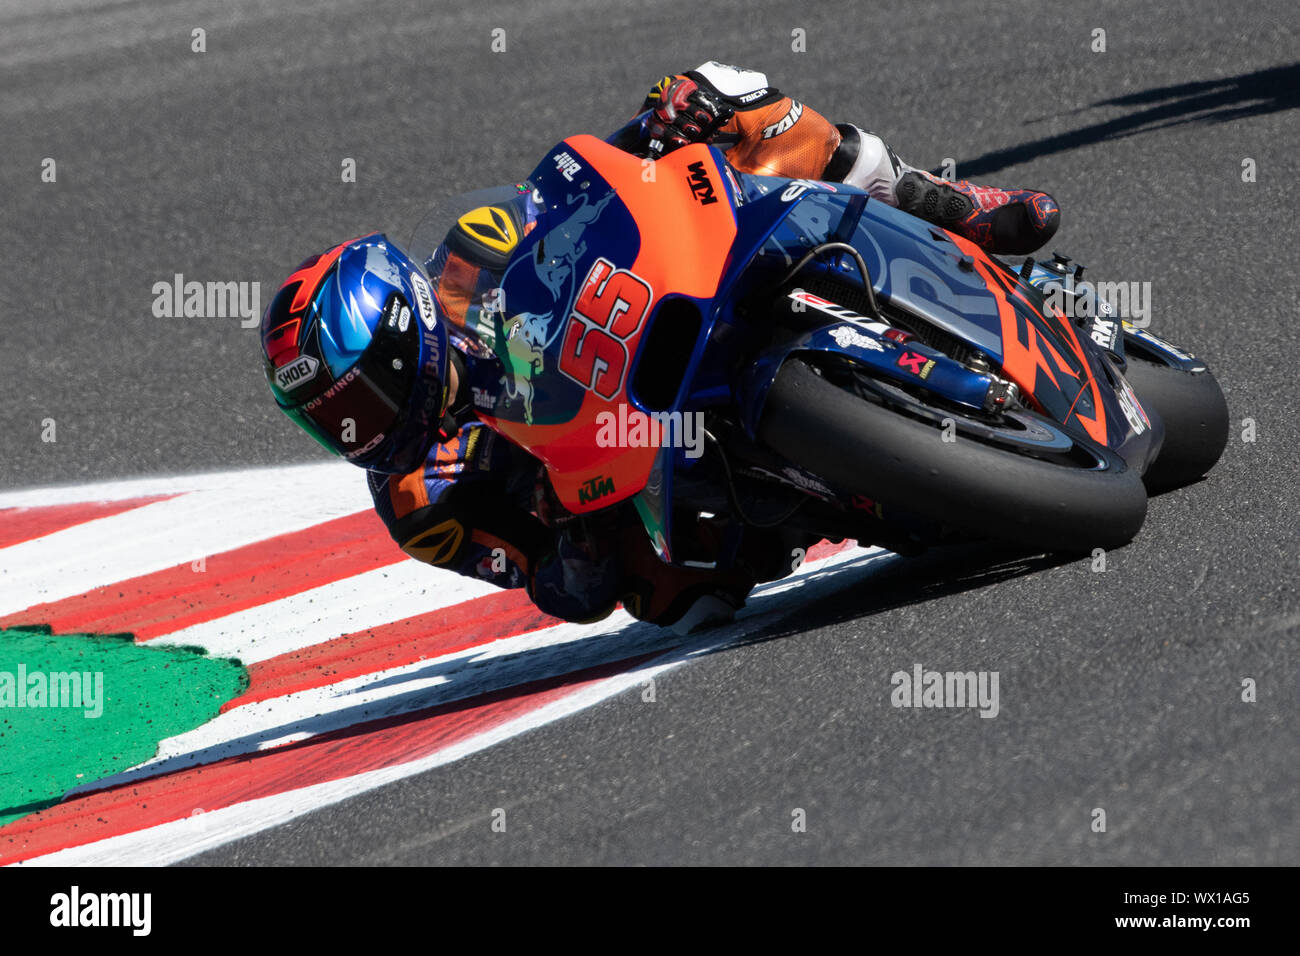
pixel 1119 690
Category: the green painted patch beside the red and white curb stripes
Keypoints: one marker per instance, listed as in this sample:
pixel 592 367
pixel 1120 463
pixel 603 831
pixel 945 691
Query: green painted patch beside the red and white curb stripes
pixel 79 708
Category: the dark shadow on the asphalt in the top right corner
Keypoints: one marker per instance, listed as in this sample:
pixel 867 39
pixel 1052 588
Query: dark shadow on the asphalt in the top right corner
pixel 1203 102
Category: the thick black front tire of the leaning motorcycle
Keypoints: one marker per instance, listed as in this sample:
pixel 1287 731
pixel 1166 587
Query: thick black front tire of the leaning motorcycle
pixel 1063 504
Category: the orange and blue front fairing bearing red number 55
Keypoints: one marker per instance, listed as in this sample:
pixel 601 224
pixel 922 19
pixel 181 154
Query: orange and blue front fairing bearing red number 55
pixel 604 222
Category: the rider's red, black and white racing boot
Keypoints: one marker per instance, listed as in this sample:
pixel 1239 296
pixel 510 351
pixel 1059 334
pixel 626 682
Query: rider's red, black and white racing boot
pixel 998 220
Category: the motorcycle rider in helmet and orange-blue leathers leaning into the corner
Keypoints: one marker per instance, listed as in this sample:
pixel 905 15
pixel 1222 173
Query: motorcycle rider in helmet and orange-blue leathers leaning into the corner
pixel 366 357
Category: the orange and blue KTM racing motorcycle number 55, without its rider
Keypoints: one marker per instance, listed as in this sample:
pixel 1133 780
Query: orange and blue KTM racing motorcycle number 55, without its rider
pixel 773 353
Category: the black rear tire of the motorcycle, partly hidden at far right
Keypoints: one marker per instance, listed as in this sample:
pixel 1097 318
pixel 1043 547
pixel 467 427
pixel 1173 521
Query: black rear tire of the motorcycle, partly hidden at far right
pixel 1195 414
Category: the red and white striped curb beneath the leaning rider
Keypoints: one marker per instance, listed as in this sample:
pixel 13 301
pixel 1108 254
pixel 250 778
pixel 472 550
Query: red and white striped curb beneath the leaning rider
pixel 365 667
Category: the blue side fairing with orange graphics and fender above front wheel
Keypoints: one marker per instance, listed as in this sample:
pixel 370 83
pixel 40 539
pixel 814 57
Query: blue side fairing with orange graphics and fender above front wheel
pixel 918 270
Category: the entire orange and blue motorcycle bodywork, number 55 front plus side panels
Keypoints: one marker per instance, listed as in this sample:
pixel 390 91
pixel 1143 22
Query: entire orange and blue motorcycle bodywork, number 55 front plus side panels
pixel 695 230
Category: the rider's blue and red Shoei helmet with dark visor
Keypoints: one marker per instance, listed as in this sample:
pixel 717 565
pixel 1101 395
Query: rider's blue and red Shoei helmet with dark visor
pixel 357 354
